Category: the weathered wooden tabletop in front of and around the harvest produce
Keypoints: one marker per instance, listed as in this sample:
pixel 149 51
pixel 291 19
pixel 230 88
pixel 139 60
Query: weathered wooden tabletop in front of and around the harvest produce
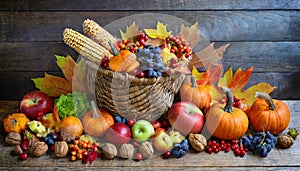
pixel 278 159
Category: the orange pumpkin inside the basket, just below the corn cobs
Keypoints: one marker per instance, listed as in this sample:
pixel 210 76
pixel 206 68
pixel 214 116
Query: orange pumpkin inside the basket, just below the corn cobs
pixel 125 61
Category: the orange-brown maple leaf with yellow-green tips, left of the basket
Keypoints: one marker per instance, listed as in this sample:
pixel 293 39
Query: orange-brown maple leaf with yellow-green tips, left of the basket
pixel 74 79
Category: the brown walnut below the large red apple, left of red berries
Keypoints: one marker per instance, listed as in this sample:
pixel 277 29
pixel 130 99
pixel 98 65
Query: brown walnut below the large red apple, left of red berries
pixel 197 141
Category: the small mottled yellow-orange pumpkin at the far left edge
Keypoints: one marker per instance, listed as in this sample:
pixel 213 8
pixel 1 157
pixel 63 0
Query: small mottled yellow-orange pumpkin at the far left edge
pixel 16 122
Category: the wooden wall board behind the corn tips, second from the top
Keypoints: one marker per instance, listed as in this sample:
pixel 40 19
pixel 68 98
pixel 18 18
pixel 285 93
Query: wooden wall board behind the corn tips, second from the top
pixel 215 25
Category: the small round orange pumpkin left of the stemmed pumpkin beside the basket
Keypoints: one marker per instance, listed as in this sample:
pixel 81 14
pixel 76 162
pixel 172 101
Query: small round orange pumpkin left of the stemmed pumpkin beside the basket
pixel 70 128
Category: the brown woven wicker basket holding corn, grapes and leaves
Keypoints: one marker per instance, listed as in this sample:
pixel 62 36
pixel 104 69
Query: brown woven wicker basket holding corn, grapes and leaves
pixel 131 97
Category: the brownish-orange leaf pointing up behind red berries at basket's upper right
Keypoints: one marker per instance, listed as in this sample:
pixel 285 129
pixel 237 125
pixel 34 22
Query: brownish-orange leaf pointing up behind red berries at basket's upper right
pixel 190 34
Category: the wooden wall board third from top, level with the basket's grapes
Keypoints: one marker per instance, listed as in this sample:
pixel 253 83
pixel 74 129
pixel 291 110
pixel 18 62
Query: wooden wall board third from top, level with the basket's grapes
pixel 264 56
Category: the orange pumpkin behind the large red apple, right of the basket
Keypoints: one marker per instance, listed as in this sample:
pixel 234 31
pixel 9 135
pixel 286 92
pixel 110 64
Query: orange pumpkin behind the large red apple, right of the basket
pixel 197 94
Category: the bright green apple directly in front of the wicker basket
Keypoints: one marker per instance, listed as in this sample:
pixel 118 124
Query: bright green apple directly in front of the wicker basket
pixel 142 130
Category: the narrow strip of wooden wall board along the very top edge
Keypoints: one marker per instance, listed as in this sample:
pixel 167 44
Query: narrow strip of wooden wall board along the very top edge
pixel 103 5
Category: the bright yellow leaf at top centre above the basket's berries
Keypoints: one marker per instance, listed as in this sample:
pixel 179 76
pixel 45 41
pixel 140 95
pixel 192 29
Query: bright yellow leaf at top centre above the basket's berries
pixel 160 31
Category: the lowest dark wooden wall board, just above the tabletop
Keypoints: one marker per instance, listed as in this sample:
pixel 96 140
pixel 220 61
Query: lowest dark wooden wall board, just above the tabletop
pixel 19 83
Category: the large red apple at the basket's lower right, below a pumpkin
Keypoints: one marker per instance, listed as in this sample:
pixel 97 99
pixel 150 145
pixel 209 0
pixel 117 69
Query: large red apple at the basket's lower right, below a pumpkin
pixel 186 117
